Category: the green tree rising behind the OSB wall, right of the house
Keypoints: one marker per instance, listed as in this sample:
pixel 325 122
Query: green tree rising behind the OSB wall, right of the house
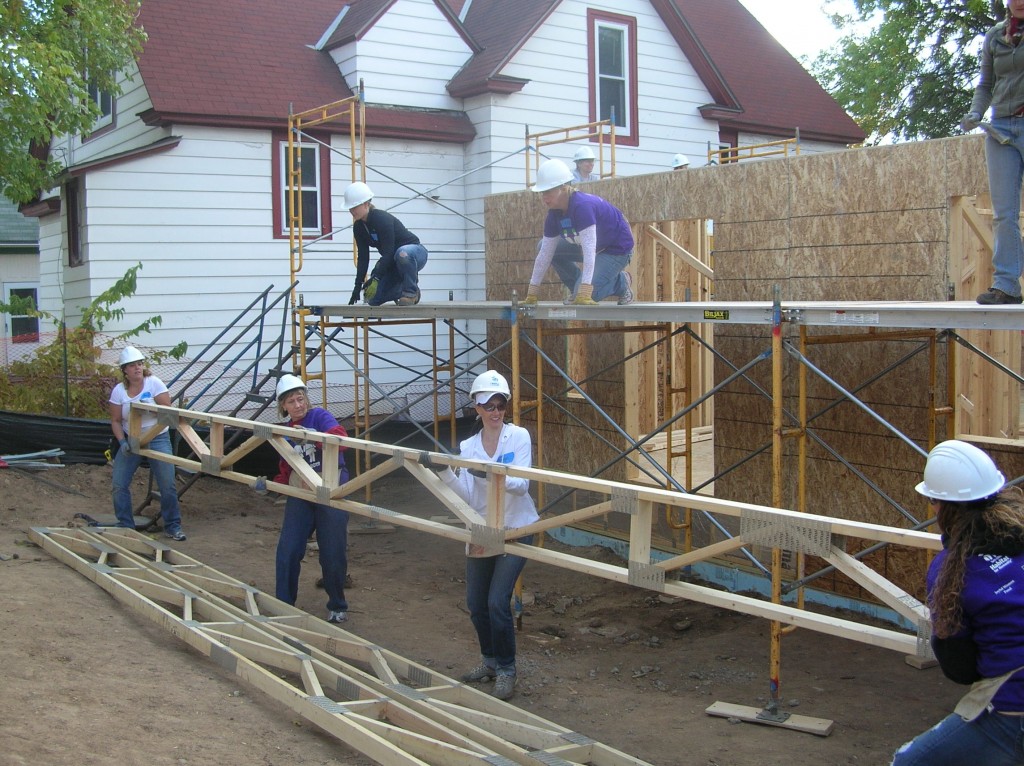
pixel 913 74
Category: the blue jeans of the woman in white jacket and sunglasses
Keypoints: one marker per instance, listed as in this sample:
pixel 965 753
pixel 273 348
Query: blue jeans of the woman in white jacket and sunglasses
pixel 490 582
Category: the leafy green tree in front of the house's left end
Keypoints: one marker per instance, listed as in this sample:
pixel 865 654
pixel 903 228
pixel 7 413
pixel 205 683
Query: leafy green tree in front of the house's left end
pixel 51 53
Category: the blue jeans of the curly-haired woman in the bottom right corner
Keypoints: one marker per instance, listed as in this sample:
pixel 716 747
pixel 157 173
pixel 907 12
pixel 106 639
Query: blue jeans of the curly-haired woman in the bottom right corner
pixel 991 740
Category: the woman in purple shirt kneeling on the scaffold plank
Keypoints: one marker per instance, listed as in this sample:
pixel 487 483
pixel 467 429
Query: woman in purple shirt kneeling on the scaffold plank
pixel 586 239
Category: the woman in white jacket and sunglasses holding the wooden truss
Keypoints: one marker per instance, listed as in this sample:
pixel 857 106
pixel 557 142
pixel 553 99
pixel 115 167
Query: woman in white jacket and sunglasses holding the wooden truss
pixel 491 580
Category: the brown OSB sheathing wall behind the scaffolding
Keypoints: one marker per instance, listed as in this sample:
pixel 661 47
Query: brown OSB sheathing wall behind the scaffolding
pixel 860 225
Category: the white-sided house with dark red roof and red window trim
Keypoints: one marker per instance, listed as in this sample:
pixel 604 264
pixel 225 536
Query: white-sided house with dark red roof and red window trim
pixel 185 173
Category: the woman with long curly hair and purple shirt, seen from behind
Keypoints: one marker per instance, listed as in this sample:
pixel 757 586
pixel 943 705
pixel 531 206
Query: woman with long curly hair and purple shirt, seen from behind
pixel 976 603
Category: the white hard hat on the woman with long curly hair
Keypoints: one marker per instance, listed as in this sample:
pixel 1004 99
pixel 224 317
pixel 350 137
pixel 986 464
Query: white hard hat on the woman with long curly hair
pixel 960 473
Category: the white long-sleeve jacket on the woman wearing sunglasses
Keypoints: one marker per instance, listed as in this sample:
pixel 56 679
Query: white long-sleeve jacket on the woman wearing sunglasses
pixel 515 448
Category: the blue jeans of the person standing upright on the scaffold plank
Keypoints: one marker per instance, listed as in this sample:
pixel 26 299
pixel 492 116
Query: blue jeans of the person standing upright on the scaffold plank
pixel 1006 167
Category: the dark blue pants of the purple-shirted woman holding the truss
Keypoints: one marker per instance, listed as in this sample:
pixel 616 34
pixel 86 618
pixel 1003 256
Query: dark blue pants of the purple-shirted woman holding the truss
pixel 331 525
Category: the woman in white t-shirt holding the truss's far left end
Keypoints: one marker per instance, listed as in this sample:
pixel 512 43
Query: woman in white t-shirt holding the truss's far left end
pixel 139 385
